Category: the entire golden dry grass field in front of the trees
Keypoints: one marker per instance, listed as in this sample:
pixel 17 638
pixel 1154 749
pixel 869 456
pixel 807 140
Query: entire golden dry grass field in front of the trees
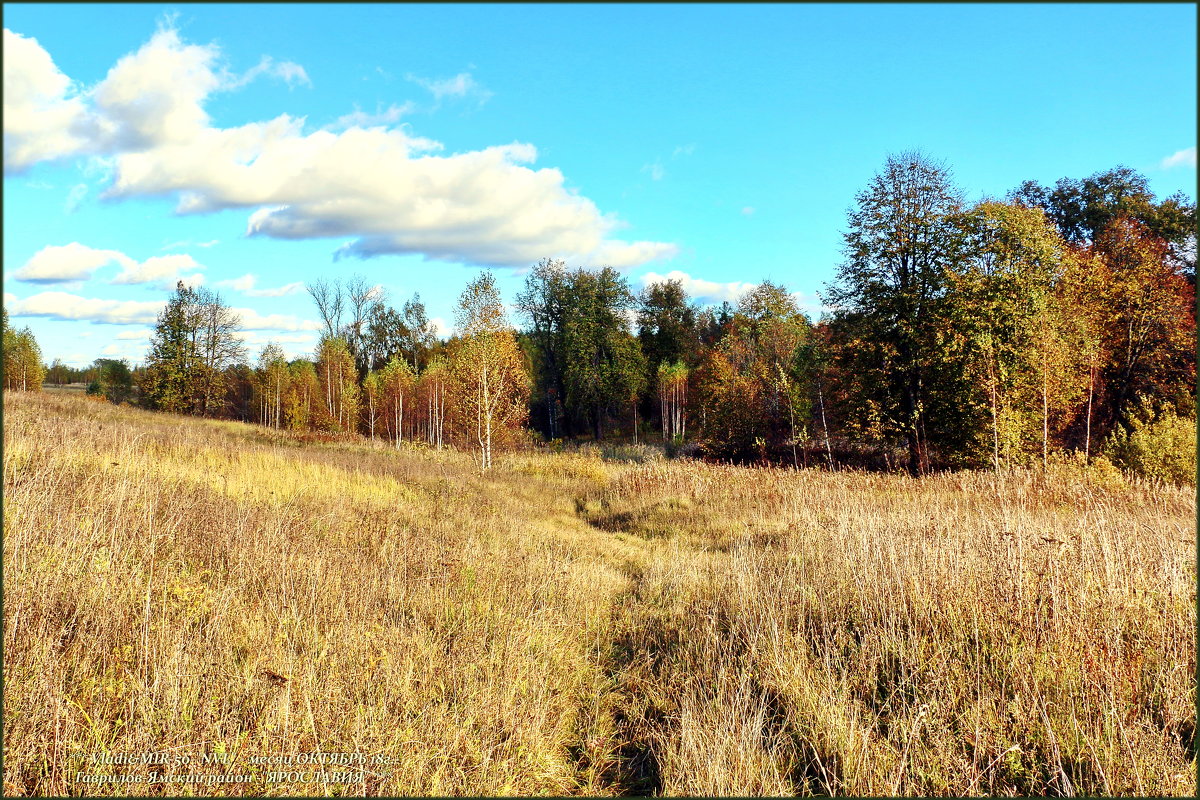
pixel 230 596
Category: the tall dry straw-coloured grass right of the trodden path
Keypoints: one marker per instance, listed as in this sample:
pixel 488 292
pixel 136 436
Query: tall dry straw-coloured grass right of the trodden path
pixel 874 635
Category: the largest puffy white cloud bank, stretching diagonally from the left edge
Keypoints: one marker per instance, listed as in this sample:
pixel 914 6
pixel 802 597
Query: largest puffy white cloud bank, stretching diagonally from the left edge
pixel 382 188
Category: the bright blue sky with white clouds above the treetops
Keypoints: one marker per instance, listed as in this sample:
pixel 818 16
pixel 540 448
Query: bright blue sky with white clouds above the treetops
pixel 253 149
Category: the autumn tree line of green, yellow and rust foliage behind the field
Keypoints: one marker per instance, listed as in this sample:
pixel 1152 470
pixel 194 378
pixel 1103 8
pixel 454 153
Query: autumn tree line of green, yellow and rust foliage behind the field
pixel 957 336
